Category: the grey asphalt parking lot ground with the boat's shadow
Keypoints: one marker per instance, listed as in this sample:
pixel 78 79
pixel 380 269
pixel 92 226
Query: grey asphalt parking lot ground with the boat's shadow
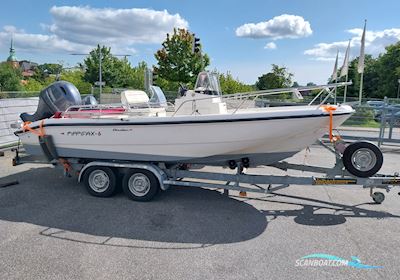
pixel 50 228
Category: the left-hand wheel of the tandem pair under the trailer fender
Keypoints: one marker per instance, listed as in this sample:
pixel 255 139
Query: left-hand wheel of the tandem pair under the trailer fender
pixel 100 181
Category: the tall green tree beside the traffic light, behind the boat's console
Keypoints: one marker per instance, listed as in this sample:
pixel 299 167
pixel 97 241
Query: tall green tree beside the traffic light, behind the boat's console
pixel 176 61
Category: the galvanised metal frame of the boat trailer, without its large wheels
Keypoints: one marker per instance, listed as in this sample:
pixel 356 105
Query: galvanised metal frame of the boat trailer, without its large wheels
pixel 183 175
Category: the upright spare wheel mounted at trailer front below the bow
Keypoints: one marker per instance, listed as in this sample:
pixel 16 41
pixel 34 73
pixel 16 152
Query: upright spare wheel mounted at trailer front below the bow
pixel 362 159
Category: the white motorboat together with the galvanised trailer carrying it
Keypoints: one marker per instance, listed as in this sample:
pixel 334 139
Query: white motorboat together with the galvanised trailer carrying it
pixel 152 146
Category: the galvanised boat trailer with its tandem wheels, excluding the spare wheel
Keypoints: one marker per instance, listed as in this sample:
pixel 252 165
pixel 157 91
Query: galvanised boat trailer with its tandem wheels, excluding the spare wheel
pixel 141 181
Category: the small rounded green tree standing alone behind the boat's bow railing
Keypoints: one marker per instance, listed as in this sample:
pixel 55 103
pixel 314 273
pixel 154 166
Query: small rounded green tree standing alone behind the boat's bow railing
pixel 279 77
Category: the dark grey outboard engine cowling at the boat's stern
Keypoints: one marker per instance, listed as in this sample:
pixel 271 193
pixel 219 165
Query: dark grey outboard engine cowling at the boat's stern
pixel 57 97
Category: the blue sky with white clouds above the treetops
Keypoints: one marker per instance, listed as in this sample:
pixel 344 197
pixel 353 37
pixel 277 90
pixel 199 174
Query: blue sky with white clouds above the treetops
pixel 243 37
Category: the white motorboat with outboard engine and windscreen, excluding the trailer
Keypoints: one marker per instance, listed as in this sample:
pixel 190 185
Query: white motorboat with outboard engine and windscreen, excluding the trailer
pixel 201 128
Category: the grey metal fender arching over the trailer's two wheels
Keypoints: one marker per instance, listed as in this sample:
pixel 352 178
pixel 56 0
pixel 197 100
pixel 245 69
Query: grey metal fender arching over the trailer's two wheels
pixel 157 171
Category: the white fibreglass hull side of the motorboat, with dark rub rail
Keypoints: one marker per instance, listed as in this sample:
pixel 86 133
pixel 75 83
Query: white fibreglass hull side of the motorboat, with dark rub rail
pixel 262 137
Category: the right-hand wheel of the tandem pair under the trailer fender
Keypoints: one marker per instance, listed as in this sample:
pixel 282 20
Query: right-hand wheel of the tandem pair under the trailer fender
pixel 140 185
